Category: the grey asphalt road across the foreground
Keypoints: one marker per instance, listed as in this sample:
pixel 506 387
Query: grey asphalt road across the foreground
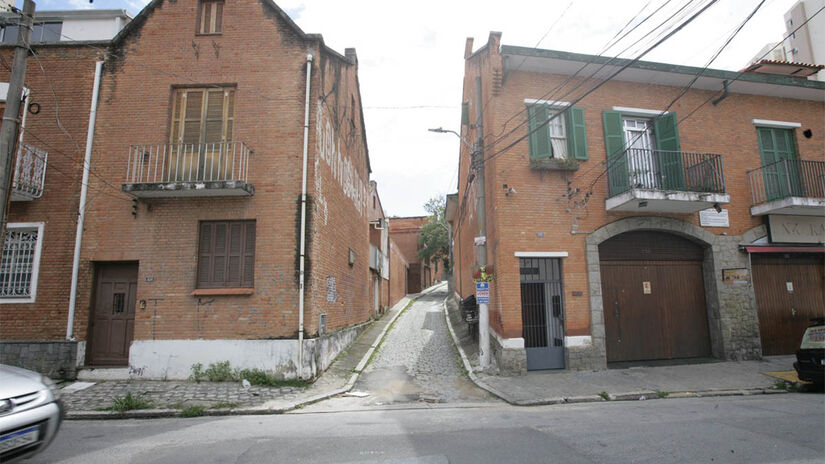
pixel 753 429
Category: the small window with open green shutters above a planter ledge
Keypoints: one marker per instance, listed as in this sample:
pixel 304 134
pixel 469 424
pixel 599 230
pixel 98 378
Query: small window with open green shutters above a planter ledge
pixel 562 137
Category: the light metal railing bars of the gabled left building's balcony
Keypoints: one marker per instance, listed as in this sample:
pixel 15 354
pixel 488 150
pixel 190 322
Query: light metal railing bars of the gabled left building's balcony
pixel 188 162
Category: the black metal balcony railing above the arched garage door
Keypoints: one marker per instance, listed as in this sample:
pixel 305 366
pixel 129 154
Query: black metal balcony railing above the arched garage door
pixel 638 168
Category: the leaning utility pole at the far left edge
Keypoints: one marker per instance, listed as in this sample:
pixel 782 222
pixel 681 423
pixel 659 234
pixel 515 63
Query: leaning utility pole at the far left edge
pixel 11 117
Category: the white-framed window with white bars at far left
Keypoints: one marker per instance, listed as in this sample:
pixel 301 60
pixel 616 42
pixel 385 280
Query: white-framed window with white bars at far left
pixel 19 263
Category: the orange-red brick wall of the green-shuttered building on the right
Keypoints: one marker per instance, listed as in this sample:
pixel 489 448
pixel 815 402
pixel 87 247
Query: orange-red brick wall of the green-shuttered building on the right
pixel 541 205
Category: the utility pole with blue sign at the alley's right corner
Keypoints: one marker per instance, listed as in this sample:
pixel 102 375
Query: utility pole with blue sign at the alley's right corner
pixel 478 154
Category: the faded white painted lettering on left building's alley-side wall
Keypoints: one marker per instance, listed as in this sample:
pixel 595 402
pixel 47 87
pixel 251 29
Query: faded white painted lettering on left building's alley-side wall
pixel 343 171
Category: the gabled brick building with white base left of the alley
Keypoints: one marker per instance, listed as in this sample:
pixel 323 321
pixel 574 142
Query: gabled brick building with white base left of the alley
pixel 192 244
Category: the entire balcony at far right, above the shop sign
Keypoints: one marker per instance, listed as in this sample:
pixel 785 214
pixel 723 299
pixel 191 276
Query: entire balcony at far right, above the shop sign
pixel 788 187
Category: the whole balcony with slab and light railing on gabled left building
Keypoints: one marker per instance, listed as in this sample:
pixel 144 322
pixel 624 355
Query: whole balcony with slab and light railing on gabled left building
pixel 188 170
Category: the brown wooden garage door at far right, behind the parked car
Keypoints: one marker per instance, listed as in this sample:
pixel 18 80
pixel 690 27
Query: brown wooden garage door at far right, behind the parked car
pixel 790 290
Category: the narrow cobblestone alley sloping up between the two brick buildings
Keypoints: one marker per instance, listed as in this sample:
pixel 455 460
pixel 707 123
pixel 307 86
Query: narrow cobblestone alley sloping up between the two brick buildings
pixel 416 363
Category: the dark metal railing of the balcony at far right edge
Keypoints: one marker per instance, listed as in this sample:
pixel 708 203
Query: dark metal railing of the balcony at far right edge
pixel 787 178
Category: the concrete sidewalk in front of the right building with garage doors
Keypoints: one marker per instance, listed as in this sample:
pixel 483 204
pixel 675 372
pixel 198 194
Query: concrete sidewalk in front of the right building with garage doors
pixel 634 383
